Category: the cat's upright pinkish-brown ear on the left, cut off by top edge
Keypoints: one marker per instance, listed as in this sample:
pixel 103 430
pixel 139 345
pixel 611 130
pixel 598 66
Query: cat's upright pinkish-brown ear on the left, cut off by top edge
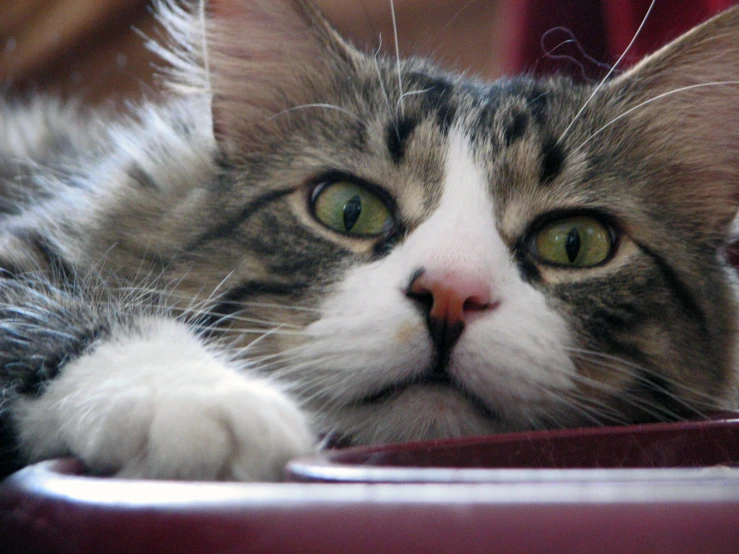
pixel 264 57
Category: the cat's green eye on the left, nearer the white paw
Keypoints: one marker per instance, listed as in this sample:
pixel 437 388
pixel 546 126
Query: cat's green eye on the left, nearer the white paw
pixel 351 209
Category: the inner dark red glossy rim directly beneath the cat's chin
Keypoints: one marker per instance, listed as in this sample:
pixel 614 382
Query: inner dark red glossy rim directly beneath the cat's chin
pixel 689 444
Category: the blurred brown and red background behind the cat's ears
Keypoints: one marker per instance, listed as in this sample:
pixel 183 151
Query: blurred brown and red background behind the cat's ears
pixel 93 50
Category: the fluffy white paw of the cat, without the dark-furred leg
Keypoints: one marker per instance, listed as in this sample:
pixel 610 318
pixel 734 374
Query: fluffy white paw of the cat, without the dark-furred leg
pixel 158 404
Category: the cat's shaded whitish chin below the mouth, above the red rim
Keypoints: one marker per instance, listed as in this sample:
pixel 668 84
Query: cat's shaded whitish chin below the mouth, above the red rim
pixel 418 411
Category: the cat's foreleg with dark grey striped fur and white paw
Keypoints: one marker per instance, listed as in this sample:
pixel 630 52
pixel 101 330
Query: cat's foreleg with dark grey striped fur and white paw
pixel 136 395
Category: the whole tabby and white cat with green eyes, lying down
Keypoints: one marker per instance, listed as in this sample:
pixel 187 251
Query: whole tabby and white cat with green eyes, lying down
pixel 308 241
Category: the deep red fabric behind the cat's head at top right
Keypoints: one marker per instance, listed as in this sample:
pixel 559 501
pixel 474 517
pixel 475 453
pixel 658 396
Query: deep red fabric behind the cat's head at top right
pixel 602 30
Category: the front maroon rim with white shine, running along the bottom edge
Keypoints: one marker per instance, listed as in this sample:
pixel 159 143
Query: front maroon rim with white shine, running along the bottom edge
pixel 47 508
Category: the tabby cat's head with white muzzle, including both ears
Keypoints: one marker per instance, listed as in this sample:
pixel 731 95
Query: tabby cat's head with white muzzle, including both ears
pixel 434 256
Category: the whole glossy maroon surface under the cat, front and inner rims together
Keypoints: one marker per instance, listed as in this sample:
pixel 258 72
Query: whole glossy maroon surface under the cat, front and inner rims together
pixel 54 507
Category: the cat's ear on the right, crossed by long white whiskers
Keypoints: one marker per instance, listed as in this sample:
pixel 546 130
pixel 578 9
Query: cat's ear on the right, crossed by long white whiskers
pixel 683 104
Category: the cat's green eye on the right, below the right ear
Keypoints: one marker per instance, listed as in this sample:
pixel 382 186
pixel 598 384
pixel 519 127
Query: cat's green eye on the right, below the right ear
pixel 579 241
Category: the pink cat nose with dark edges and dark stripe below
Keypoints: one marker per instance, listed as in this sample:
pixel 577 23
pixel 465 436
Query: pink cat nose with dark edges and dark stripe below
pixel 449 298
